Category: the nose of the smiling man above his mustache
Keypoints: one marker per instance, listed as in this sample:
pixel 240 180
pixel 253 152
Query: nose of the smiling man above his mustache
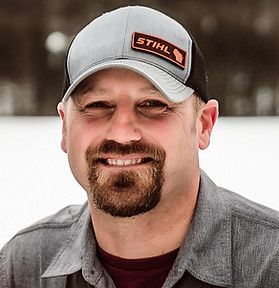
pixel 124 127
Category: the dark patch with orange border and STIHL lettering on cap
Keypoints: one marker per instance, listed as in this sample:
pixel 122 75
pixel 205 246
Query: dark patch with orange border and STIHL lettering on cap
pixel 160 47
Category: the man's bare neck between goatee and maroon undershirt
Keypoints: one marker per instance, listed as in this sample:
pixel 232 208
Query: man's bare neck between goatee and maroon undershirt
pixel 151 234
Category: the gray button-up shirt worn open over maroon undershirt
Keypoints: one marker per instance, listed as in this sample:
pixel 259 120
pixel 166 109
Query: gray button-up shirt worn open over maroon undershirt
pixel 232 242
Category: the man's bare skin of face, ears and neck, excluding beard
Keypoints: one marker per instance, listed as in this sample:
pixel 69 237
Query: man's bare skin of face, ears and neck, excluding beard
pixel 131 109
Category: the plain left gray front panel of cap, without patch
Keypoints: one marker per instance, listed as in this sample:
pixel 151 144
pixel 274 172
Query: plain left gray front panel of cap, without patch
pixel 99 40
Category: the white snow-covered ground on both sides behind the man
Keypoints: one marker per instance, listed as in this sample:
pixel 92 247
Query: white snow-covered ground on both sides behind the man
pixel 35 179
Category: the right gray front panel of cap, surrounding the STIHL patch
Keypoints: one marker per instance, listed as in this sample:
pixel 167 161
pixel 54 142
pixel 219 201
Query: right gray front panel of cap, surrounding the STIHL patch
pixel 148 21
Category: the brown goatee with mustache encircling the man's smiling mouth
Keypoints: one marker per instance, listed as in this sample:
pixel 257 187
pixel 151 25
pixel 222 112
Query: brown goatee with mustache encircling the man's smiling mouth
pixel 125 193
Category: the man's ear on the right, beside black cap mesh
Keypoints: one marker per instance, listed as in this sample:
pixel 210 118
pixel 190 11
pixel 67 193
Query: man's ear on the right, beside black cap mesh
pixel 207 118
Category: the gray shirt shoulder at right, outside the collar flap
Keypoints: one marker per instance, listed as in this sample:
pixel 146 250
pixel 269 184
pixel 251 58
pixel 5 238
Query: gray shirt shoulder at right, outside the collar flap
pixel 255 239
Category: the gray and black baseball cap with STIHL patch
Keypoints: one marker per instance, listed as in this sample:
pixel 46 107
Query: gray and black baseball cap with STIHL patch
pixel 143 40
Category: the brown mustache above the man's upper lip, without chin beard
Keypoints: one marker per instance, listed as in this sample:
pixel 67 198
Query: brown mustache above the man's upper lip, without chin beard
pixel 155 152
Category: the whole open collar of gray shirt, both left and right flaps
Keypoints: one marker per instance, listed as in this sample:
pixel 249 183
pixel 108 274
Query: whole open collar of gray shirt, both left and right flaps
pixel 206 252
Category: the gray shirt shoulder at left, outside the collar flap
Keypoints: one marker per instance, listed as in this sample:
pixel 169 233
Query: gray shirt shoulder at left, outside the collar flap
pixel 32 248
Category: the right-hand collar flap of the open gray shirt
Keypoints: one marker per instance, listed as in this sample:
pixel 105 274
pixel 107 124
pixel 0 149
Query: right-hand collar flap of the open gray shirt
pixel 206 252
